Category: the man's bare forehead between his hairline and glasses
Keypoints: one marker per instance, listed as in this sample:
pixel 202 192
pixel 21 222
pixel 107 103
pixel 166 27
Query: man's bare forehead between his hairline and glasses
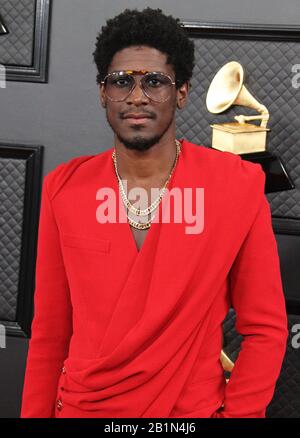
pixel 140 58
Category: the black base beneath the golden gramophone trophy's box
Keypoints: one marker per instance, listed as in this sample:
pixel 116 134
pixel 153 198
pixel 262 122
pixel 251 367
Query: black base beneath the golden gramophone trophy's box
pixel 277 178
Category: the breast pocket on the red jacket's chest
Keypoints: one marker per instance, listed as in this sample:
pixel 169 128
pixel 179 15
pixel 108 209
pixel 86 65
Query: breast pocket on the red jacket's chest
pixel 92 244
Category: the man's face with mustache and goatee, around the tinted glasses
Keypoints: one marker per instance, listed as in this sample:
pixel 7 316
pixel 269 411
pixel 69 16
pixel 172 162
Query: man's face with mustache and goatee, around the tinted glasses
pixel 161 115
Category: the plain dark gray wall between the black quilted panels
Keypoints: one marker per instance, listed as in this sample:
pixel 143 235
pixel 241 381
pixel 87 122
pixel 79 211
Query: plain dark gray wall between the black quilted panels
pixel 65 115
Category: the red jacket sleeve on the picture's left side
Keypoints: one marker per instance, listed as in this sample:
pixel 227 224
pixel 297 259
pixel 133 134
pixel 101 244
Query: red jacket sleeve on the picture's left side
pixel 51 327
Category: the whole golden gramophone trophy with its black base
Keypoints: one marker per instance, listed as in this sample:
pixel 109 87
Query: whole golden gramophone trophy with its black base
pixel 243 137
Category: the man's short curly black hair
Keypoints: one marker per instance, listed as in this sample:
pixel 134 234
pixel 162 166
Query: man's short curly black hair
pixel 151 28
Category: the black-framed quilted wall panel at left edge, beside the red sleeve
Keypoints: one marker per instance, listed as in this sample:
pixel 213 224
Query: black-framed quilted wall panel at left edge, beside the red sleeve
pixel 20 183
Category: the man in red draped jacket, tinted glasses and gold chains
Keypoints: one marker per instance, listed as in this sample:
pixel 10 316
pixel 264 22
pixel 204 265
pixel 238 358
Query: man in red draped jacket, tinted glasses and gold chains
pixel 128 313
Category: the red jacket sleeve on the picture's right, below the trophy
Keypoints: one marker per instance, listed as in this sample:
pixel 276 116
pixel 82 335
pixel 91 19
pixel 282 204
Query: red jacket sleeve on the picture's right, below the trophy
pixel 258 299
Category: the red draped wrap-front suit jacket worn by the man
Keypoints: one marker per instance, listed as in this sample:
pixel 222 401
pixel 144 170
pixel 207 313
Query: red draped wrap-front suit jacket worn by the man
pixel 119 332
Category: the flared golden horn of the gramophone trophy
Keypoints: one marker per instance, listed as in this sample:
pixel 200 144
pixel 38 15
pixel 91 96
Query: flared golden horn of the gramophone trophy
pixel 227 89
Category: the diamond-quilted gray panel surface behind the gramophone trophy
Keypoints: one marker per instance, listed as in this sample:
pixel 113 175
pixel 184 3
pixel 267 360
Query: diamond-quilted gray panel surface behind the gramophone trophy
pixel 268 67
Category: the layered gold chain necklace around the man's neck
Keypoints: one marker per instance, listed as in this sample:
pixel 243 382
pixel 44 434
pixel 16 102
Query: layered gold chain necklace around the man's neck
pixel 155 203
